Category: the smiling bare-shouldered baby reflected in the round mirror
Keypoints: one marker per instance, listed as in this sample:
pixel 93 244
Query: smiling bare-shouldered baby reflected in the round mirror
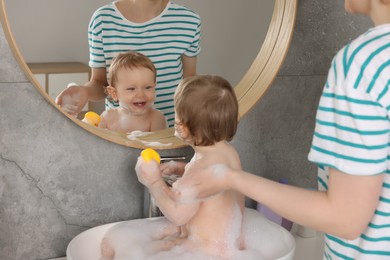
pixel 133 85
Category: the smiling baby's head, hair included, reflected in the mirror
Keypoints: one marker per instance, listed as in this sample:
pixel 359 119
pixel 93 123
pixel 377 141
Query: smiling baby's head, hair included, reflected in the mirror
pixel 132 78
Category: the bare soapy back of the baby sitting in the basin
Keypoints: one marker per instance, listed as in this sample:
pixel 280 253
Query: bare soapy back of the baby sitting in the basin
pixel 217 223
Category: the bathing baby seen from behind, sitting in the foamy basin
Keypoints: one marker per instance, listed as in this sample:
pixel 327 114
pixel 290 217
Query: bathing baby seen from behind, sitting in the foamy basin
pixel 206 117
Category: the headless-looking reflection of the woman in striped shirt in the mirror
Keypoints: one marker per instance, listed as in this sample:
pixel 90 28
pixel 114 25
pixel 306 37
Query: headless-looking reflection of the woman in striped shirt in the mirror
pixel 167 33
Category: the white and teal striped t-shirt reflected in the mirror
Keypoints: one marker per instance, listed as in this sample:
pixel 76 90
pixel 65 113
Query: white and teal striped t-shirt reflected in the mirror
pixel 164 39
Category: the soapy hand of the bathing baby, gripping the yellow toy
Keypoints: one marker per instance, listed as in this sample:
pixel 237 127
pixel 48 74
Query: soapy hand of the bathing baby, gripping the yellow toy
pixel 147 172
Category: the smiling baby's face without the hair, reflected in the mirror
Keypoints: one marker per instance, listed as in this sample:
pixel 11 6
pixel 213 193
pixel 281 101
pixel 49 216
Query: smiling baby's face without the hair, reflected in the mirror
pixel 136 89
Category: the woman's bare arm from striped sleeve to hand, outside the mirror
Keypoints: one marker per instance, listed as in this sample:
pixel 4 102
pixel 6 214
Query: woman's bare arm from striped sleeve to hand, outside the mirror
pixel 344 210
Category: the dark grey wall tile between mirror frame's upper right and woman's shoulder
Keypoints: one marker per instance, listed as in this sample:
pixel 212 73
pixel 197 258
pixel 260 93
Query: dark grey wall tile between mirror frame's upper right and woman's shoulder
pixel 321 29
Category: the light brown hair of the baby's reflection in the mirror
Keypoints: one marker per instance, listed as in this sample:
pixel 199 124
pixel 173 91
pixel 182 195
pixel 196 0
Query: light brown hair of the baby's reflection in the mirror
pixel 129 60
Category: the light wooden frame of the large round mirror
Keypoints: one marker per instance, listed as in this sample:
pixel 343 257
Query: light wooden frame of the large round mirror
pixel 249 90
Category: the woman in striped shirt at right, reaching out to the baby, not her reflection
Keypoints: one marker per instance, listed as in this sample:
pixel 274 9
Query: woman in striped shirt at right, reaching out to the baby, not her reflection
pixel 351 146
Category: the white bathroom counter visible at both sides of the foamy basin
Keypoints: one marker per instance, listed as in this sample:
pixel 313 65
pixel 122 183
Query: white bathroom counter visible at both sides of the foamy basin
pixel 306 248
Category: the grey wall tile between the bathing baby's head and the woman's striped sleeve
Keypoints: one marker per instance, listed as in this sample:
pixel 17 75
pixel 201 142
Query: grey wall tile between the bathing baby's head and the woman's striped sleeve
pixel 274 138
